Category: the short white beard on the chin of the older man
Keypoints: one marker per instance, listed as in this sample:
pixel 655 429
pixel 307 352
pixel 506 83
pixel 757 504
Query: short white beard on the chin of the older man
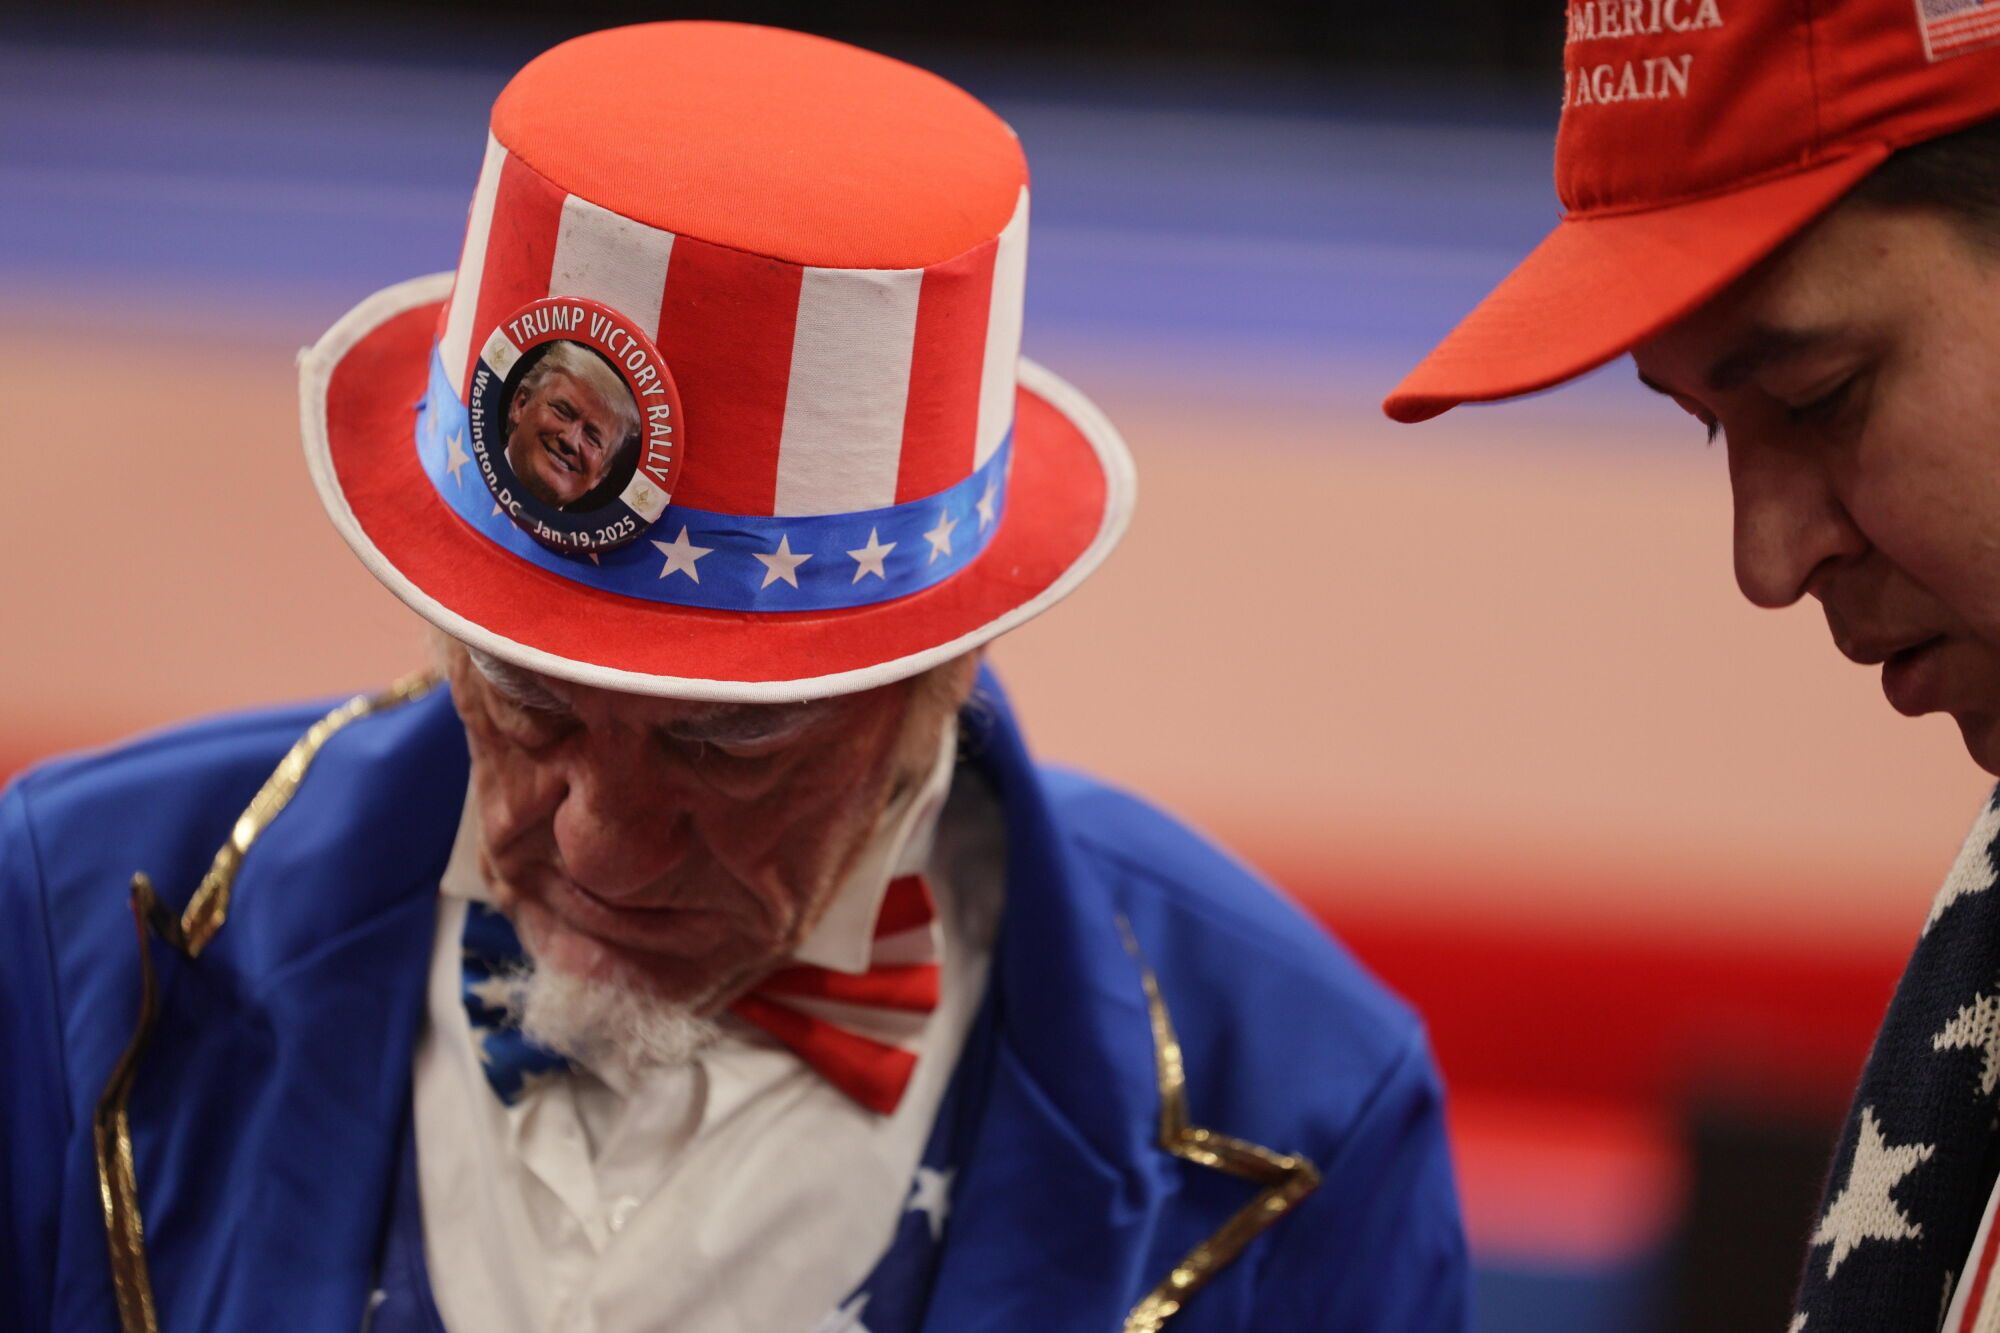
pixel 607 1022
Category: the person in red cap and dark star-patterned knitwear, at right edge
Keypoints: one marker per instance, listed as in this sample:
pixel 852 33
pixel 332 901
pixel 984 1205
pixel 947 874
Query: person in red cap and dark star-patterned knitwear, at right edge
pixel 1791 219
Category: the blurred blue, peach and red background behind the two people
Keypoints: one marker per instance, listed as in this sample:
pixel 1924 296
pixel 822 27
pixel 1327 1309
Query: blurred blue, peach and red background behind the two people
pixel 1479 694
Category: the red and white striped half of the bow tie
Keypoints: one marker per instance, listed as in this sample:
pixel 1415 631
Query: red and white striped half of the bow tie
pixel 859 1030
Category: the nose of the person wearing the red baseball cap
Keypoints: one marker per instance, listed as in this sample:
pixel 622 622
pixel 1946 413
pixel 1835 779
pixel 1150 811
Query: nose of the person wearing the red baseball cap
pixel 1789 521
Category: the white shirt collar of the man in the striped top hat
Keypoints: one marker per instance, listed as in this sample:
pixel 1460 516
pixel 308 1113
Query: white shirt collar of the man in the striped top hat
pixel 845 936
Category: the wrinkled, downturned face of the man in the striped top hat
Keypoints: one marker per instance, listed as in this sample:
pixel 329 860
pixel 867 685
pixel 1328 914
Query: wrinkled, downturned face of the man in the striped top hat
pixel 675 848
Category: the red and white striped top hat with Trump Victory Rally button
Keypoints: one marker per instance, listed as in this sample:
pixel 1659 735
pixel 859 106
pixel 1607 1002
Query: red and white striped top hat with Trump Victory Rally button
pixel 725 399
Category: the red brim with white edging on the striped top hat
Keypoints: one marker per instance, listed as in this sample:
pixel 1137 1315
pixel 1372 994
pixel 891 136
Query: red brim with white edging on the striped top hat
pixel 1069 503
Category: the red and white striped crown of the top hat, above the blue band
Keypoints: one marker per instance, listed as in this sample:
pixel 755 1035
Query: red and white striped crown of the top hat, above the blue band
pixel 827 247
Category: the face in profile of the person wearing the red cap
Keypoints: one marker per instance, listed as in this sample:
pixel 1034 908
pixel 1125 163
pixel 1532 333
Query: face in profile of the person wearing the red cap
pixel 1857 381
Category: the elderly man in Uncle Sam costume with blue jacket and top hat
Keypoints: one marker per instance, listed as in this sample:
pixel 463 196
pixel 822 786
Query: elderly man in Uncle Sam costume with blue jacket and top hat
pixel 699 948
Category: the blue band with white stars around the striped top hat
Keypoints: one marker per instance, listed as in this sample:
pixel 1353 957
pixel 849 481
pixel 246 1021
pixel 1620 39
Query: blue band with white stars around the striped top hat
pixel 695 557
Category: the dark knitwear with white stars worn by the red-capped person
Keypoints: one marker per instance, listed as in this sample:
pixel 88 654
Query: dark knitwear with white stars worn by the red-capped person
pixel 1921 1150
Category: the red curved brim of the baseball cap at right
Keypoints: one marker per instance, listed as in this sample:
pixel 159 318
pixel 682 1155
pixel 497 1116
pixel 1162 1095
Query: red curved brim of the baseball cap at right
pixel 1605 283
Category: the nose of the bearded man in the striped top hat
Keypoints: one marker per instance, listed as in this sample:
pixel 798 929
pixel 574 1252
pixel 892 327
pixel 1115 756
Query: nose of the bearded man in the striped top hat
pixel 621 828
